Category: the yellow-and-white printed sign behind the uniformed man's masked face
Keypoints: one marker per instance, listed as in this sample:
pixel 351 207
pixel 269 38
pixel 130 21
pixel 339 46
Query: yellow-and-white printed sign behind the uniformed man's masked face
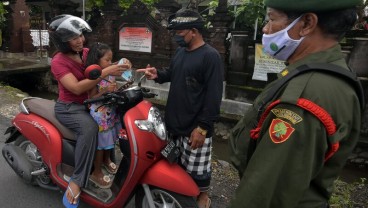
pixel 264 64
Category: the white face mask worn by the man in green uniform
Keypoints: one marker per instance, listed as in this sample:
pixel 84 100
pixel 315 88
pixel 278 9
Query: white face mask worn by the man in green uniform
pixel 279 45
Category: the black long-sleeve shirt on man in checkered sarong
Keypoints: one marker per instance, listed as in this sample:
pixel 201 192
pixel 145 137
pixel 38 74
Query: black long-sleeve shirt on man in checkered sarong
pixel 195 90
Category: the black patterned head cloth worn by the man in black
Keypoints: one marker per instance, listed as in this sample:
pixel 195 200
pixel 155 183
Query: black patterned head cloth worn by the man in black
pixel 185 19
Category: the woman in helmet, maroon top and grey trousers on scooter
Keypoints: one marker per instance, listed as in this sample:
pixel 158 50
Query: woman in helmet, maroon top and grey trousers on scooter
pixel 67 66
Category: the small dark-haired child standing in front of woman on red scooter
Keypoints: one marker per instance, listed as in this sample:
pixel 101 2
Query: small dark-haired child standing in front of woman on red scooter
pixel 105 116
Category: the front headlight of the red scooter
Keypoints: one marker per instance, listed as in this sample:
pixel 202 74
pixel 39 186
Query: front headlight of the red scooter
pixel 154 123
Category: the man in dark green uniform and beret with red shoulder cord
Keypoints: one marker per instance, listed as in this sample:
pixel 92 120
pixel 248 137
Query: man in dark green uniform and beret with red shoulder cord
pixel 292 144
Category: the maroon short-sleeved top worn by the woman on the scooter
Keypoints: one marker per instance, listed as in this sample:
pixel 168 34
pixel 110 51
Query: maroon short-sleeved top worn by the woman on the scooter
pixel 62 65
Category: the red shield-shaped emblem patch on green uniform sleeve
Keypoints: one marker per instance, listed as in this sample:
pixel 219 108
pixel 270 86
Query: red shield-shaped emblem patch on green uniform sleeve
pixel 280 130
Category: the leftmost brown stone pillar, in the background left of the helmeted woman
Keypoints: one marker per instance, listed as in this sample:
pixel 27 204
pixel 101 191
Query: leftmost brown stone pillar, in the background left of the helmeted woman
pixel 20 37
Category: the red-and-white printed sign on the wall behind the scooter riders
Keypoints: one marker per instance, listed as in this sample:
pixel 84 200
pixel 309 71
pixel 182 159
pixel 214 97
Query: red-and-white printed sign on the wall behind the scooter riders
pixel 135 39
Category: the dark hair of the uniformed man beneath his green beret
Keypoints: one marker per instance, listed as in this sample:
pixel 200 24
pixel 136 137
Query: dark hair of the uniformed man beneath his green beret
pixel 333 23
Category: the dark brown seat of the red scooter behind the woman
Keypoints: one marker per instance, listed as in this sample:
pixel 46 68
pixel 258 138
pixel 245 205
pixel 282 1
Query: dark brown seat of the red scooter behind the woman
pixel 45 109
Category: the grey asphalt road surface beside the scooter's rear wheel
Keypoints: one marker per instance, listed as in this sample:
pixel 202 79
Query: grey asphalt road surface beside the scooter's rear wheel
pixel 16 194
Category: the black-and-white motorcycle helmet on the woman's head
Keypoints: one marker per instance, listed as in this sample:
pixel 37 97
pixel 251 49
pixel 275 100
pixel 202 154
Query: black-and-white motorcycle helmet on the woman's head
pixel 63 28
